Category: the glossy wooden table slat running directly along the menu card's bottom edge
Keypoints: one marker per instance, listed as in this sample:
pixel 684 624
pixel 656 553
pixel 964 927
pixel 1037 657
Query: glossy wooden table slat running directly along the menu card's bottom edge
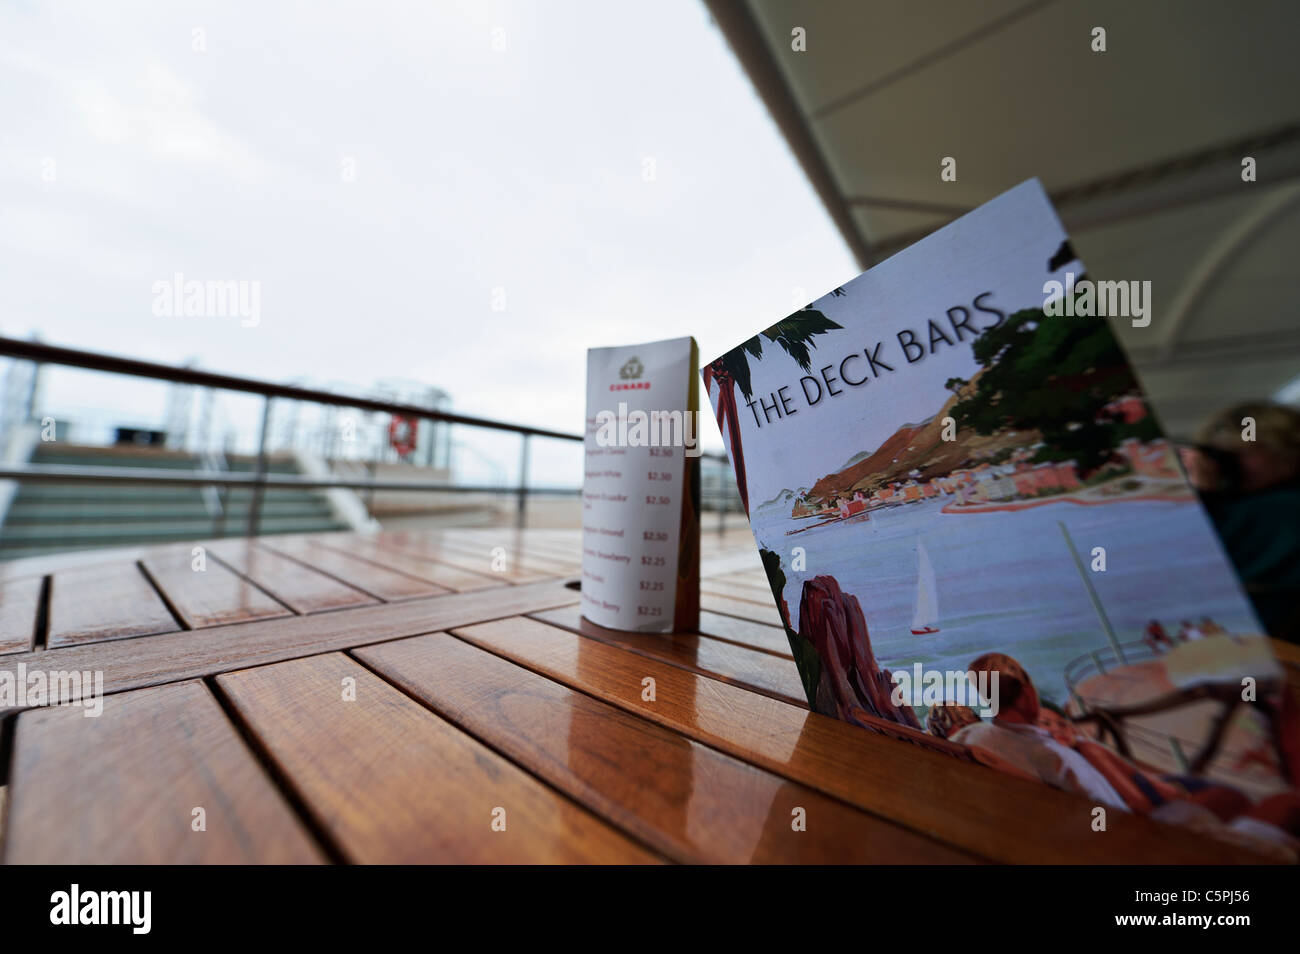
pixel 980 809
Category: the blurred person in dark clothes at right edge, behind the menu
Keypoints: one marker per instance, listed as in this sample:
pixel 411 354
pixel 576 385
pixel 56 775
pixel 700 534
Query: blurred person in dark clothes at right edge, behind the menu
pixel 1251 489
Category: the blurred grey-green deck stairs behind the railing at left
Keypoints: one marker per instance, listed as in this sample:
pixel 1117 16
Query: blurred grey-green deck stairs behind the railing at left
pixel 49 518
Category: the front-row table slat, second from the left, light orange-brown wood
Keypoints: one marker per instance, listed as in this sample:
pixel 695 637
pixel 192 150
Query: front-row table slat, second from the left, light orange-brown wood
pixel 393 783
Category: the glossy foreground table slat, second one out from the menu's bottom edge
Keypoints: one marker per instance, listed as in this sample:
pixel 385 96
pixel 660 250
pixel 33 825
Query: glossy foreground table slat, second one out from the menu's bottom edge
pixel 687 800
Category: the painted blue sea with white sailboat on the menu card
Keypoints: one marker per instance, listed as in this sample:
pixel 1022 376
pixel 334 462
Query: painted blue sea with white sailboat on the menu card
pixel 1007 582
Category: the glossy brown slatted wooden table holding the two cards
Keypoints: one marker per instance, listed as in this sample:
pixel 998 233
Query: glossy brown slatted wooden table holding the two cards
pixel 436 697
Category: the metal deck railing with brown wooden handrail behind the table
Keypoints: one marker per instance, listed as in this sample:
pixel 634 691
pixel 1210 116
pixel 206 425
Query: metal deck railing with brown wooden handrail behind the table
pixel 261 479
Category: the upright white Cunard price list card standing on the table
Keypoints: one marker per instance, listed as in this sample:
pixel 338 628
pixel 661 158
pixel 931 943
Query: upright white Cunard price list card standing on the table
pixel 642 488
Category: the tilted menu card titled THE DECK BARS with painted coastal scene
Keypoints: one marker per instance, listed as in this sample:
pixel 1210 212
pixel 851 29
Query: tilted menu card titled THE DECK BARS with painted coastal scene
pixel 981 540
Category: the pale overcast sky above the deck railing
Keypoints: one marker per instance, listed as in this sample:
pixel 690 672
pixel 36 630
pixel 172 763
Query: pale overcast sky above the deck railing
pixel 383 171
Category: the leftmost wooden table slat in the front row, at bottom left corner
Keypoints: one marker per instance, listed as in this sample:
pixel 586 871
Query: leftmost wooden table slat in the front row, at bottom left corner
pixel 122 788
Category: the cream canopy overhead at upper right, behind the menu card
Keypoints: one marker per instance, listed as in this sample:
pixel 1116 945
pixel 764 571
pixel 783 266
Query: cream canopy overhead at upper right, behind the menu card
pixel 1141 146
